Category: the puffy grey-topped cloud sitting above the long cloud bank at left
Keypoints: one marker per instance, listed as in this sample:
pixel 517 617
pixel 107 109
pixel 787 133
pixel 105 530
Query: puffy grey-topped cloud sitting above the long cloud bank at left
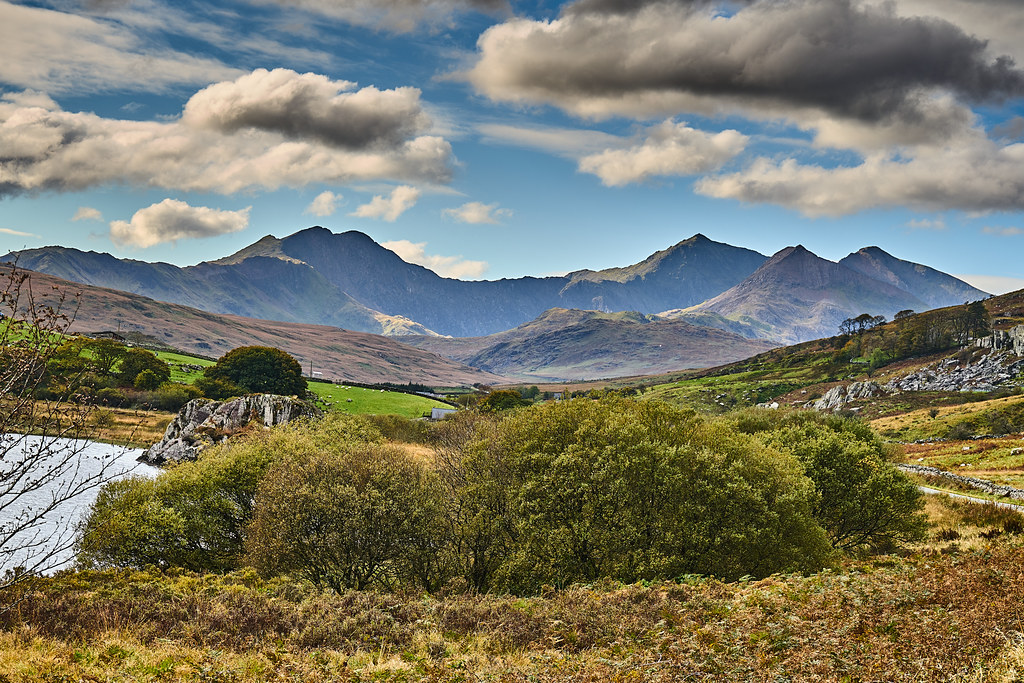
pixel 310 107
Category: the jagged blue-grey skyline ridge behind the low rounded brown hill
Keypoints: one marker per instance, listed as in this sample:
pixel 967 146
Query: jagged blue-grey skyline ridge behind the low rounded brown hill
pixel 349 281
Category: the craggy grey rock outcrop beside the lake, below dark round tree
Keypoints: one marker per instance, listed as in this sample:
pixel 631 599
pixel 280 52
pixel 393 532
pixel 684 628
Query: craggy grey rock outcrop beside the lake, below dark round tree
pixel 203 423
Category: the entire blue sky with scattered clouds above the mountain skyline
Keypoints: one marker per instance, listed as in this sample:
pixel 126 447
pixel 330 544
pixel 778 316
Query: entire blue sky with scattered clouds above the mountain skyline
pixel 490 140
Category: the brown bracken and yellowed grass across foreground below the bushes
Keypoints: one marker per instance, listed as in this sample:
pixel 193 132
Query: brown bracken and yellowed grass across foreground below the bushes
pixel 945 612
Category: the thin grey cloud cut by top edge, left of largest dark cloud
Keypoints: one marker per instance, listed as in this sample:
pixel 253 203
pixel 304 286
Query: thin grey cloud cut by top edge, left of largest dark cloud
pixel 399 16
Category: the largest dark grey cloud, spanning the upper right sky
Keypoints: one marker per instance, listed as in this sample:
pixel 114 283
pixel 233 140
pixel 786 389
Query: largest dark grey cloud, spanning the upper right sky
pixel 771 59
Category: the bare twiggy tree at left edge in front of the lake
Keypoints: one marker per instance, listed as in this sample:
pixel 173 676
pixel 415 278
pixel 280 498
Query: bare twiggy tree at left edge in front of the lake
pixel 41 475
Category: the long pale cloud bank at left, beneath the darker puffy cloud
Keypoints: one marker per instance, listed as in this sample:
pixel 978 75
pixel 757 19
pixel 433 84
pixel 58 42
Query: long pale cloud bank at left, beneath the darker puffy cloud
pixel 44 148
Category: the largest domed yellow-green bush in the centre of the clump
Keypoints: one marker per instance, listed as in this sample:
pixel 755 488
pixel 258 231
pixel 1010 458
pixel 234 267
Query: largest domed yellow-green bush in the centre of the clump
pixel 630 491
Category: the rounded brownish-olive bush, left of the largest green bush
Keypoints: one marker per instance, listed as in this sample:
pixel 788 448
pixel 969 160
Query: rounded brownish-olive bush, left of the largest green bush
pixel 350 519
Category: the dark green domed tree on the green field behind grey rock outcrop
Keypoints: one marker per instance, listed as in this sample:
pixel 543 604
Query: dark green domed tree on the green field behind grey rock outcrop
pixel 261 370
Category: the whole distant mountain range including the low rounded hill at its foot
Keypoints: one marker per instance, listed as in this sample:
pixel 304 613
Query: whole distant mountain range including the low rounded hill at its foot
pixel 697 304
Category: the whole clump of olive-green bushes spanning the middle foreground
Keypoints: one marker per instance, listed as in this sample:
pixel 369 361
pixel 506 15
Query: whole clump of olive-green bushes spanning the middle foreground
pixel 514 501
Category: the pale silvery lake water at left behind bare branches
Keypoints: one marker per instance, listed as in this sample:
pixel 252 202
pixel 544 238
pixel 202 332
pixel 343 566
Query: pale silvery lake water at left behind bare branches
pixel 60 468
